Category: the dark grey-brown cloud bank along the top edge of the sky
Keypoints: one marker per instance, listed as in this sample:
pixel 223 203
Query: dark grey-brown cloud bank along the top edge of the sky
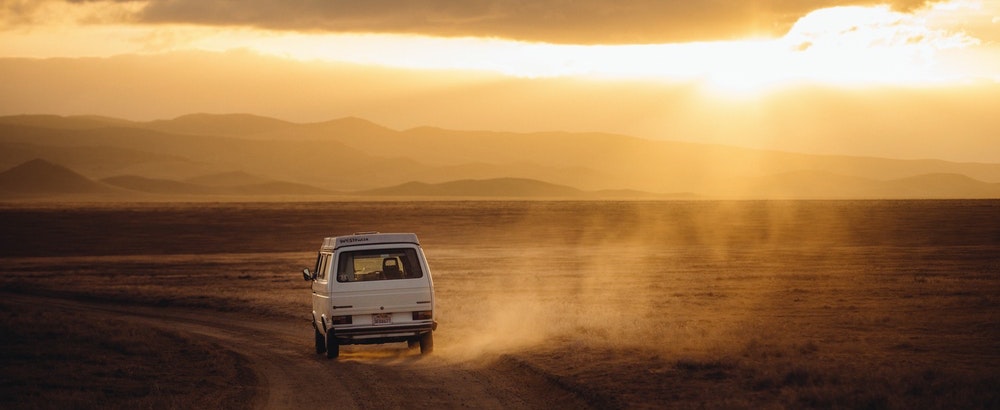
pixel 554 21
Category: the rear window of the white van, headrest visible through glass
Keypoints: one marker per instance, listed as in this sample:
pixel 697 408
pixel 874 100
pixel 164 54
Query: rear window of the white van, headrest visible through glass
pixel 378 264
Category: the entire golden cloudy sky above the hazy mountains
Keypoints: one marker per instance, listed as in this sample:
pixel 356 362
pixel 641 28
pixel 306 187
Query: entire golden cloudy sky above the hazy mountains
pixel 904 79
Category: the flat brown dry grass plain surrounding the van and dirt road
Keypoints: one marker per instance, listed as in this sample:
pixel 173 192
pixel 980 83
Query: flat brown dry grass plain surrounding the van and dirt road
pixel 718 304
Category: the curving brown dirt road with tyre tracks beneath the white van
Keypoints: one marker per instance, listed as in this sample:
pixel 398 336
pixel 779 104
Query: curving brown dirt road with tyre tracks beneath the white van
pixel 387 376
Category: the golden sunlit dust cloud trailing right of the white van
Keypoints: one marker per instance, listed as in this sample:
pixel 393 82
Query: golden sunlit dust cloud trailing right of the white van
pixel 669 278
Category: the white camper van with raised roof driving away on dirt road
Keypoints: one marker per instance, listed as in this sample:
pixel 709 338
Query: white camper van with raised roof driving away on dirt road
pixel 372 288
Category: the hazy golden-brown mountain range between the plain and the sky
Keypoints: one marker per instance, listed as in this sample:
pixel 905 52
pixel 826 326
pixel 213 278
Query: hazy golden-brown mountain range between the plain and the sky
pixel 244 156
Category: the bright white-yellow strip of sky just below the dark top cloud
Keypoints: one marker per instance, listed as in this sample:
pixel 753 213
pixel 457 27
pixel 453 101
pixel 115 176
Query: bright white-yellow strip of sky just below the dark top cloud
pixel 844 45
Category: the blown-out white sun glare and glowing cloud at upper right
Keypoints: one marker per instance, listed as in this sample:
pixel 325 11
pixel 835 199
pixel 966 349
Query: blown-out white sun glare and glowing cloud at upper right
pixel 843 46
